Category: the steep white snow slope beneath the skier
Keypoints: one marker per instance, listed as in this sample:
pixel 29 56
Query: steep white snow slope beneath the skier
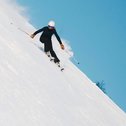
pixel 34 92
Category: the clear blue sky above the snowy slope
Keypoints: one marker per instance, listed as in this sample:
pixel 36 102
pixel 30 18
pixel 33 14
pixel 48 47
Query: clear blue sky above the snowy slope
pixel 96 32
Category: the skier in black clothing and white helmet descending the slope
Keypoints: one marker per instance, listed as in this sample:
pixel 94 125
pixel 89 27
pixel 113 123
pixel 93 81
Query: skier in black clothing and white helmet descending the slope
pixel 45 38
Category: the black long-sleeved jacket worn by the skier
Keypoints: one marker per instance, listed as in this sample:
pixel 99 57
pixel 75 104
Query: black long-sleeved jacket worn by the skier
pixel 47 34
